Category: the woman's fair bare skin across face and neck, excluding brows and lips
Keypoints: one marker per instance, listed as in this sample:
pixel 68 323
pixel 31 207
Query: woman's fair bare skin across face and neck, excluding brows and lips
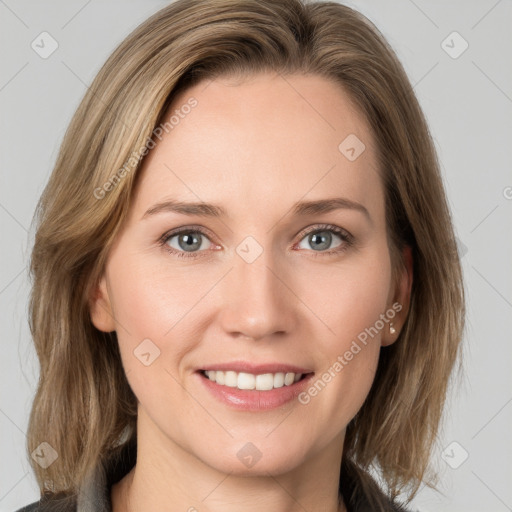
pixel 255 147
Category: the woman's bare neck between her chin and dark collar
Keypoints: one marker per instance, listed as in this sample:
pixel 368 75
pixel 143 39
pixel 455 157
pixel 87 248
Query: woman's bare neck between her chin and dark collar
pixel 167 476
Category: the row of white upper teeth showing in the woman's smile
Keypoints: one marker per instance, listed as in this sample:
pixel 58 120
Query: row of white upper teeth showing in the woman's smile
pixel 263 382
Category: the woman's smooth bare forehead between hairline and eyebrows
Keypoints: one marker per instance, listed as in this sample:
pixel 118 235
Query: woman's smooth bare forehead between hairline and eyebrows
pixel 267 139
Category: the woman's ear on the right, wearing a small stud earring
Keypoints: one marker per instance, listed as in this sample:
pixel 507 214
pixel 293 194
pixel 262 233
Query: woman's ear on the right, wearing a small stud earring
pixel 400 301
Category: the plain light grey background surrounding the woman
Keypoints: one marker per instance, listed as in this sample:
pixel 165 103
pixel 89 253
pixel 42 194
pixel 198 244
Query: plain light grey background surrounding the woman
pixel 468 103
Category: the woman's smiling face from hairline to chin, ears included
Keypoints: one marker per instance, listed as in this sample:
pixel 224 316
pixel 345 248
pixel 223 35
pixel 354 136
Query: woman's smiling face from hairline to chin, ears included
pixel 271 280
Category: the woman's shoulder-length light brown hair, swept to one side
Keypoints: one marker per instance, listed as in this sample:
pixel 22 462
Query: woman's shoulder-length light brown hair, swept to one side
pixel 83 403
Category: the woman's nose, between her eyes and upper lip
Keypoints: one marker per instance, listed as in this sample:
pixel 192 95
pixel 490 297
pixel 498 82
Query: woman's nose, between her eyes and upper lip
pixel 257 299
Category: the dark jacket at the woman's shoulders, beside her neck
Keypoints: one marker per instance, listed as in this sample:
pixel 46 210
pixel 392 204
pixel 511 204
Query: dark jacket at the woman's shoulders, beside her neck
pixel 94 495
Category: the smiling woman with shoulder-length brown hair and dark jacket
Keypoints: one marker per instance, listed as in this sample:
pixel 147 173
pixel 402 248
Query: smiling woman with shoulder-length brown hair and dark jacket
pixel 247 293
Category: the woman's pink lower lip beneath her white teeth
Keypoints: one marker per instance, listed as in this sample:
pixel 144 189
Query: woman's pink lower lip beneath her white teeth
pixel 253 400
